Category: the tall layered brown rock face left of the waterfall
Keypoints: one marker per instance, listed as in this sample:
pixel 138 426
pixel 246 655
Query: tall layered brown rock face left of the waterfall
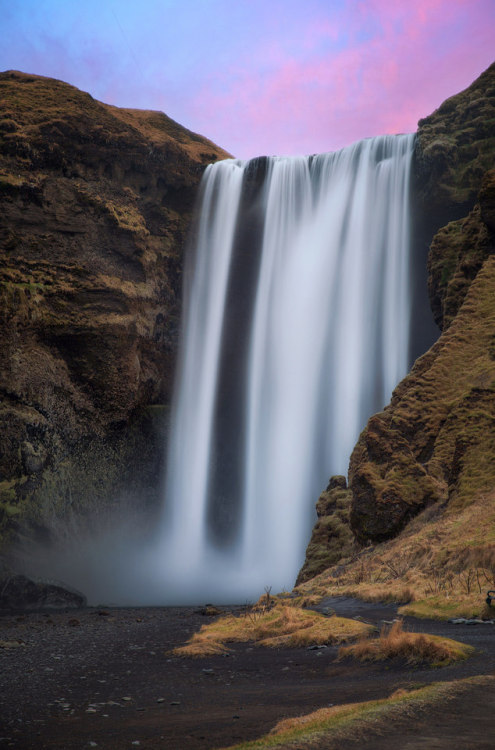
pixel 95 204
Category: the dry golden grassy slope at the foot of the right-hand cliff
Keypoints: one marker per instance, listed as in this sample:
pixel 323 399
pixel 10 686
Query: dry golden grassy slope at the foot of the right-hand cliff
pixel 440 566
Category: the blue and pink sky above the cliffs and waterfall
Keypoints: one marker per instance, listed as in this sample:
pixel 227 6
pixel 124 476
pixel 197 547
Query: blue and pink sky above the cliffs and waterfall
pixel 259 76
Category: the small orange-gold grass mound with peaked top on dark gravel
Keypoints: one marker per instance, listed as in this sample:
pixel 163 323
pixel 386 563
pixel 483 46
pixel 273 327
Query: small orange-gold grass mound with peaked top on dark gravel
pixel 397 643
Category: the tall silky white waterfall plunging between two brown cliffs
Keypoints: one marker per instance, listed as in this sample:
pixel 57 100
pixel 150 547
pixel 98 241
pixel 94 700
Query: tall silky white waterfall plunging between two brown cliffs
pixel 295 330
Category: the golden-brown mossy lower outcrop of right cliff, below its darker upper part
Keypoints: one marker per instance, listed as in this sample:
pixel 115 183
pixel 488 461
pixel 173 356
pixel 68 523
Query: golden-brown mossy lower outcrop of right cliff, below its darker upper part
pixel 436 441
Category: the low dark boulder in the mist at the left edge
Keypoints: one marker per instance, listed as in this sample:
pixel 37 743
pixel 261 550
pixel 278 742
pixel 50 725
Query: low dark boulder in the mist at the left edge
pixel 19 593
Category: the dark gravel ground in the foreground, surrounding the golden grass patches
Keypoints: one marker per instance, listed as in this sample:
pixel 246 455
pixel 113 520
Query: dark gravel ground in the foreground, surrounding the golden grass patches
pixel 104 678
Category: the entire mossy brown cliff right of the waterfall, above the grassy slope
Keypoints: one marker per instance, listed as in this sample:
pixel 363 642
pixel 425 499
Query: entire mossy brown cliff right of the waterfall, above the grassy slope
pixel 434 444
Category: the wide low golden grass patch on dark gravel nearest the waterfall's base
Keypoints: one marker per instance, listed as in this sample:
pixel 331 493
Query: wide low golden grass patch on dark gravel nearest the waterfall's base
pixel 280 626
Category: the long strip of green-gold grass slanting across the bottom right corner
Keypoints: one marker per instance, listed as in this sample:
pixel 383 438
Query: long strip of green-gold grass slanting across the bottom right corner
pixel 338 724
